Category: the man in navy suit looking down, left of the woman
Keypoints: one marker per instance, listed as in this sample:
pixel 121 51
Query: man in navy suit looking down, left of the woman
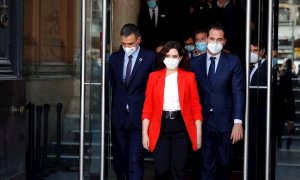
pixel 129 69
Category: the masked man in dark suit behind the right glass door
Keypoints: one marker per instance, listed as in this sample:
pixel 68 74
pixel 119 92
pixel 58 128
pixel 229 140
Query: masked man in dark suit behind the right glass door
pixel 257 112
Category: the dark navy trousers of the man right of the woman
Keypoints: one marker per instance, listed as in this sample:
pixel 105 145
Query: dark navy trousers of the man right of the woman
pixel 216 153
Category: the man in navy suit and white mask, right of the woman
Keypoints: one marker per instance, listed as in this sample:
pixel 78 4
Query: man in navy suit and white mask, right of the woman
pixel 221 86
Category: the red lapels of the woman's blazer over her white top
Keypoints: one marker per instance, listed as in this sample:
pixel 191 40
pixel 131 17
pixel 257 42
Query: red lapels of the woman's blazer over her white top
pixel 181 85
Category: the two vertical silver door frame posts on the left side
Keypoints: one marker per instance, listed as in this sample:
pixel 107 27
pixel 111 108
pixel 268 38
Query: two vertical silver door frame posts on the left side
pixel 83 85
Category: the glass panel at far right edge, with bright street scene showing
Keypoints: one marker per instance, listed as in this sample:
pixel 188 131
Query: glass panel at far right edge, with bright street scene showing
pixel 287 137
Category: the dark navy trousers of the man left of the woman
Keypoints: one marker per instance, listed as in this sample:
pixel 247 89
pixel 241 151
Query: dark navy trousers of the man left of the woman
pixel 128 153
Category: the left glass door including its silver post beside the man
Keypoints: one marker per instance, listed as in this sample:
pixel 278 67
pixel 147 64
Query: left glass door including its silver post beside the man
pixel 96 28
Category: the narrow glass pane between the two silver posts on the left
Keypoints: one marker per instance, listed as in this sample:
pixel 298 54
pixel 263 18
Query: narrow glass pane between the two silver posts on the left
pixel 93 89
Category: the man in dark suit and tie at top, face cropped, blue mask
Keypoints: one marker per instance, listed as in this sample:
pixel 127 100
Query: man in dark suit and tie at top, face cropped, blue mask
pixel 153 24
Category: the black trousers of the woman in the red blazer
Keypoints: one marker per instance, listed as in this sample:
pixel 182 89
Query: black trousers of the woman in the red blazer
pixel 171 151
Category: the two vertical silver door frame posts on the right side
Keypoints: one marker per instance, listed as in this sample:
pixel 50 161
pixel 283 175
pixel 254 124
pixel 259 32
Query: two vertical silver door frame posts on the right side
pixel 270 39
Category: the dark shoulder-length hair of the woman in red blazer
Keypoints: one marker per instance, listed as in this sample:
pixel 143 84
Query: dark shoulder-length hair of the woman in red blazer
pixel 184 63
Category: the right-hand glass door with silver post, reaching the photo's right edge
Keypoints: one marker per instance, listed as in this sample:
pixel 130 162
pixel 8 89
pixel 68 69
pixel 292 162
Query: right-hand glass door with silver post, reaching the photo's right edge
pixel 272 139
